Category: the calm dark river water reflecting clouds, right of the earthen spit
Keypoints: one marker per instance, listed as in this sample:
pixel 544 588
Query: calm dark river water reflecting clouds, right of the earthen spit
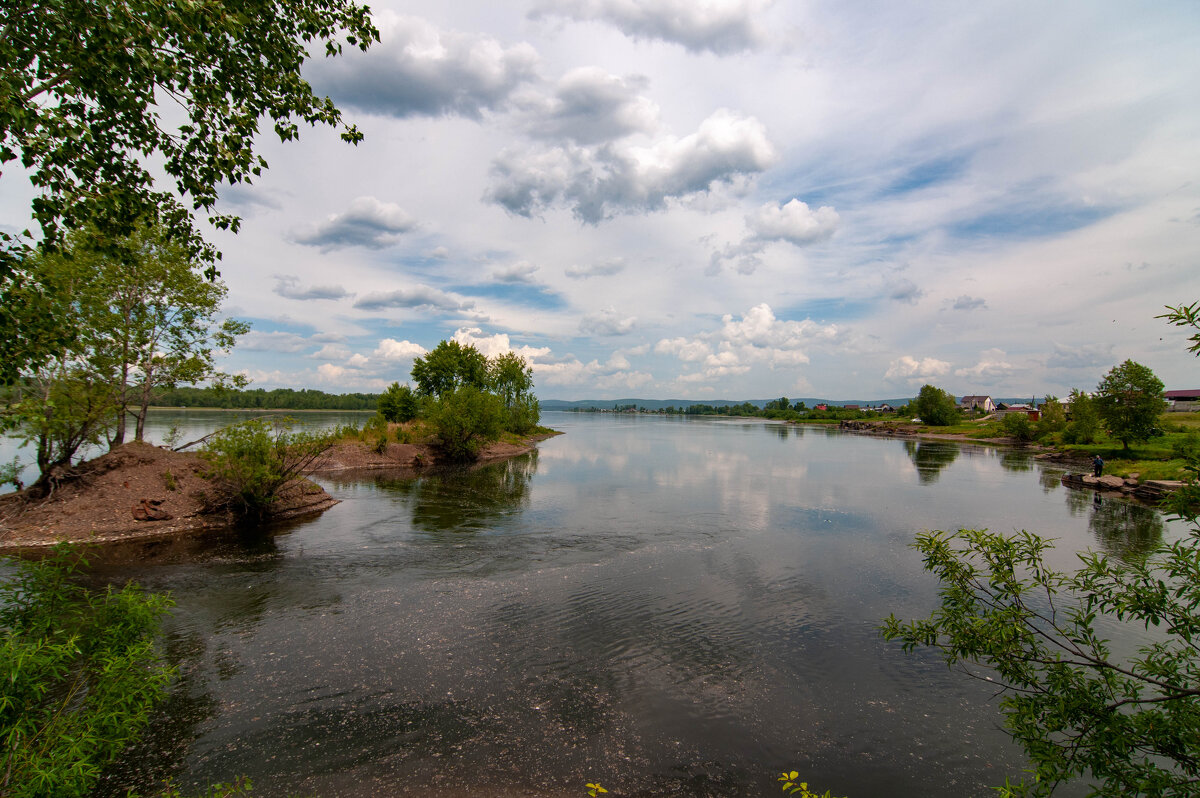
pixel 669 607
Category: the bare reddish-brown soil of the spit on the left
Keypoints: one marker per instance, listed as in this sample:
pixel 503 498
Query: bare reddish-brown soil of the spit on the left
pixel 118 496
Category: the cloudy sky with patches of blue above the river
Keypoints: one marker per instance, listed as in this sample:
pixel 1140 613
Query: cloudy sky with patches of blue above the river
pixel 736 200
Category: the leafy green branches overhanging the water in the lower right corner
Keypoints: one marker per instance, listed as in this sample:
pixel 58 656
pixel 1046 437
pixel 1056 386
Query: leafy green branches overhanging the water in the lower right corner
pixel 1132 725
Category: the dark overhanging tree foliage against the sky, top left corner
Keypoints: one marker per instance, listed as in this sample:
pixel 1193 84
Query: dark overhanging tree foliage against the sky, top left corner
pixel 88 85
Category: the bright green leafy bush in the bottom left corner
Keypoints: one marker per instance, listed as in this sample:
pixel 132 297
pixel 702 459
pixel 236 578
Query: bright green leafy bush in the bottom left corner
pixel 80 677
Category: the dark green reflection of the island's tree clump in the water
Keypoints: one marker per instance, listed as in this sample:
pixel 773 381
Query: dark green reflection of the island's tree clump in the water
pixel 467 500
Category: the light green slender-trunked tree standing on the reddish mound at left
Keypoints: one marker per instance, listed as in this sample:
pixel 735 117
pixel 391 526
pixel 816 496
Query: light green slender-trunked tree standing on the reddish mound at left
pixel 139 326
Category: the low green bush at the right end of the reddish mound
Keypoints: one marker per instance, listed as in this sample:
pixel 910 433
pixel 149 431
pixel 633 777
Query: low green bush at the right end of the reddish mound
pixel 250 464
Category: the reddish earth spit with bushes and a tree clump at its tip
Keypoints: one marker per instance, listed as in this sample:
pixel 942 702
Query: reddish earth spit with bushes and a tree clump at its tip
pixel 466 411
